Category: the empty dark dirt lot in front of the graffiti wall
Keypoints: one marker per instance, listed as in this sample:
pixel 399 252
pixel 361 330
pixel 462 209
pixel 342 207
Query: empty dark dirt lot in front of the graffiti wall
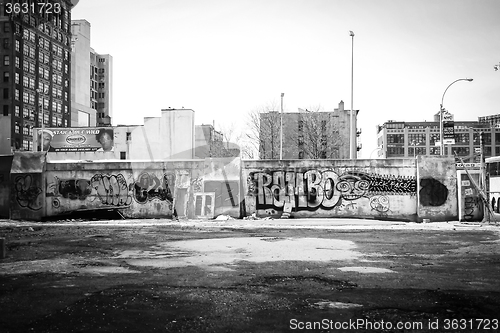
pixel 164 277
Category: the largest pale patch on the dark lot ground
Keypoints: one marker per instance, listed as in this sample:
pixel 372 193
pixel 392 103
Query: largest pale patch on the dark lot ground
pixel 223 251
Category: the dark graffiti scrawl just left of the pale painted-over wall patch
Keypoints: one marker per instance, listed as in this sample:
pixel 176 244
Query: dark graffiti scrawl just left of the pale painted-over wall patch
pixel 149 187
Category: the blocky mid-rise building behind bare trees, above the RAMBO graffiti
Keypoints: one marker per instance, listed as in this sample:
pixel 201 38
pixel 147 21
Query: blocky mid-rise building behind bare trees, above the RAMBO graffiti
pixel 306 134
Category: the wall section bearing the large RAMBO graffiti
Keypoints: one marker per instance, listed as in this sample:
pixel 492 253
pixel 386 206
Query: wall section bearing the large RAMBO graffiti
pixel 361 188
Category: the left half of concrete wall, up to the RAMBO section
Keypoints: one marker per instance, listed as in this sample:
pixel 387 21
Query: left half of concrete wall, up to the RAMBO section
pixel 201 188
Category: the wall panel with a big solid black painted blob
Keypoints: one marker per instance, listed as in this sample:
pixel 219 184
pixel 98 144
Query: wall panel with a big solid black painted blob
pixel 437 189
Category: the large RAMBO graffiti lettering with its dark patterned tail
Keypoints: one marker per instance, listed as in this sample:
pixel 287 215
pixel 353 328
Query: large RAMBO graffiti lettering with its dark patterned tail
pixel 327 189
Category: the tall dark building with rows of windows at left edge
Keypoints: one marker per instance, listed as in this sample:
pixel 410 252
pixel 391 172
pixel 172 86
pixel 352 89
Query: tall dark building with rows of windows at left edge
pixel 35 66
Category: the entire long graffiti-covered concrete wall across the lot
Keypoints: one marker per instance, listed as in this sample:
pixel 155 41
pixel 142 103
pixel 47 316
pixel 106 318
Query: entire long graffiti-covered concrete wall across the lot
pixel 402 189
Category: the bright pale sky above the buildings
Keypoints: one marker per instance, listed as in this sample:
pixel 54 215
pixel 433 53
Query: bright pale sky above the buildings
pixel 225 58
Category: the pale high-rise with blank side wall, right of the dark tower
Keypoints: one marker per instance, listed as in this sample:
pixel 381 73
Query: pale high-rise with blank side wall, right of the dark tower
pixel 91 80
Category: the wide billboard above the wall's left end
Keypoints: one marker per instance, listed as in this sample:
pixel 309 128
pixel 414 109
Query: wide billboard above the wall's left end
pixel 73 139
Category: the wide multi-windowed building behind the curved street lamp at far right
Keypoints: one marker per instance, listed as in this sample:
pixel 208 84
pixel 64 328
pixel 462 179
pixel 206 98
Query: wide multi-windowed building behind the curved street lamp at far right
pixel 400 139
